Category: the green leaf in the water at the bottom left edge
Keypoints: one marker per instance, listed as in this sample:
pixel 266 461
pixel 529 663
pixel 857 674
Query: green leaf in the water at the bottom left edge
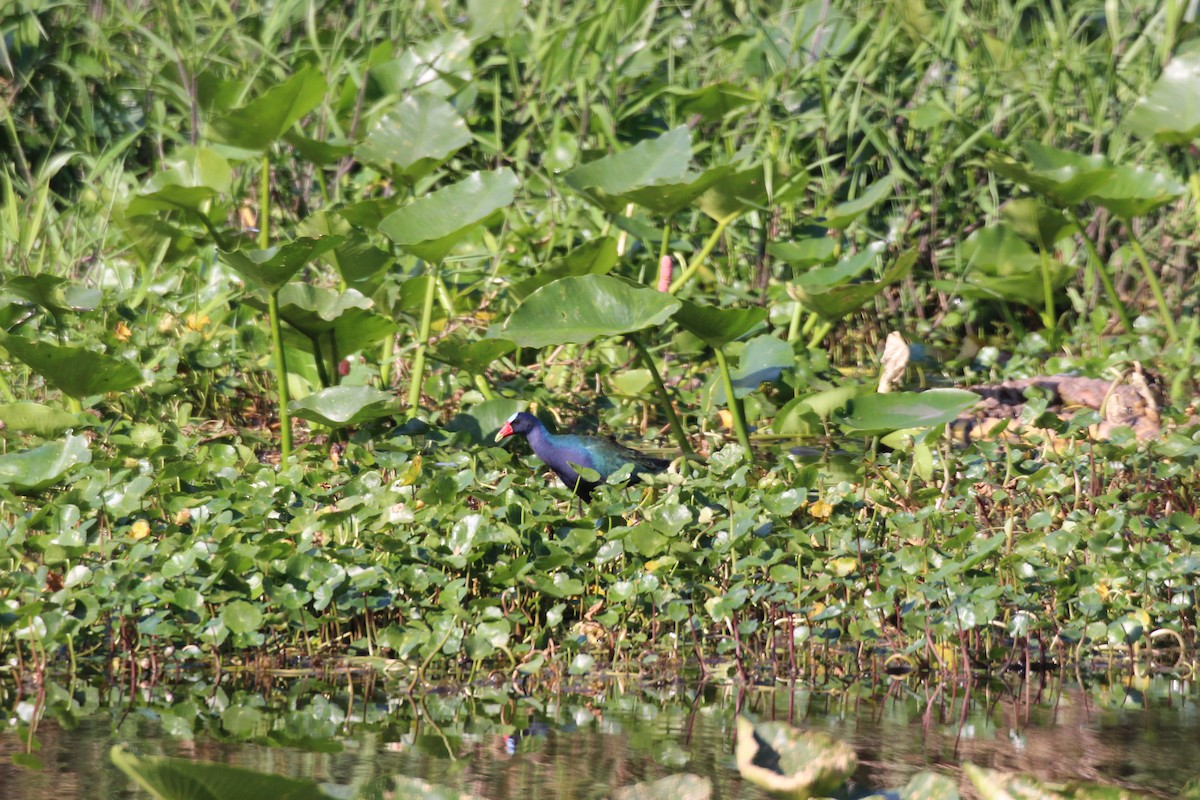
pixel 182 779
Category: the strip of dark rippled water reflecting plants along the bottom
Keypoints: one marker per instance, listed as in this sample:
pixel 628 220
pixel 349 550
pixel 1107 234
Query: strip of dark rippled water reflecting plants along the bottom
pixel 352 731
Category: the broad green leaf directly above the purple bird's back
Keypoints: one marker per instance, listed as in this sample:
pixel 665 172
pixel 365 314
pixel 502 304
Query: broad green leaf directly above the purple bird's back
pixel 578 310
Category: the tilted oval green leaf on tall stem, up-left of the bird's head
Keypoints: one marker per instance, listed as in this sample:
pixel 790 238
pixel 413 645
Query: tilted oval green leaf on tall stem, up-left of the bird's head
pixel 434 225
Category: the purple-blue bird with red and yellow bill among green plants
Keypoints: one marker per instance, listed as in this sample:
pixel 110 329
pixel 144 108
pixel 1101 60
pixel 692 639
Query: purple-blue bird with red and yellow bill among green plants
pixel 565 453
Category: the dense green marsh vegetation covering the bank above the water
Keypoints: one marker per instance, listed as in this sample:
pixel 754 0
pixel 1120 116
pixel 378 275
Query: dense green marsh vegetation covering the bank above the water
pixel 401 222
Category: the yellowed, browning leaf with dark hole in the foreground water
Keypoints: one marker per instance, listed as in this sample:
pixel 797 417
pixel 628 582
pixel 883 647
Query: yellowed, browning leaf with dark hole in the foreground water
pixel 793 763
